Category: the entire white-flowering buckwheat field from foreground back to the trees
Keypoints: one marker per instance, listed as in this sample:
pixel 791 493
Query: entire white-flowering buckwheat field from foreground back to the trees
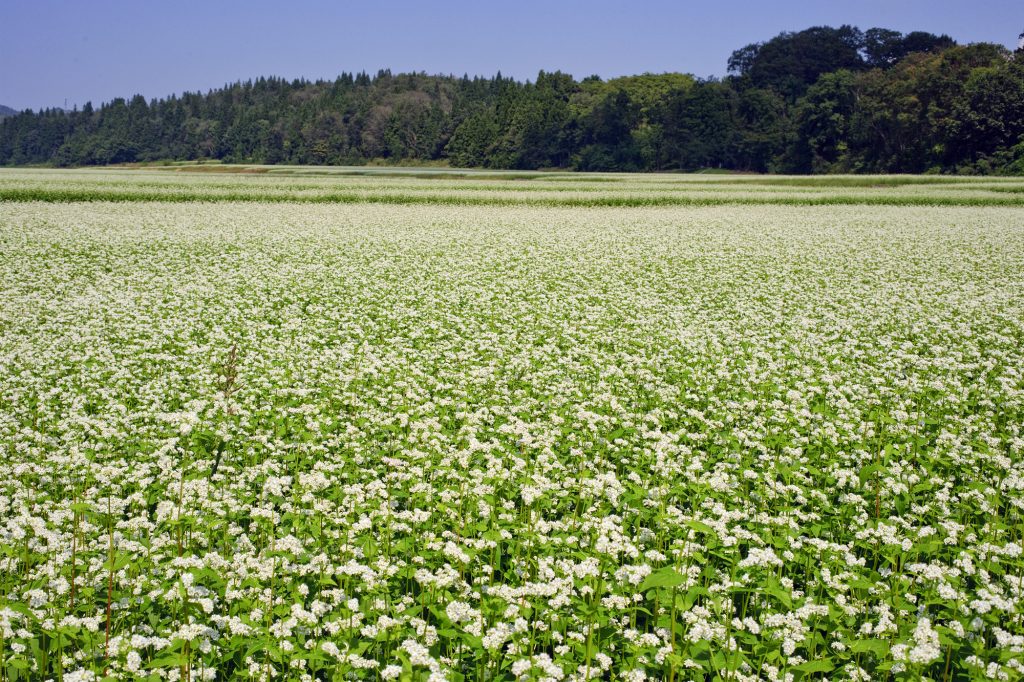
pixel 442 427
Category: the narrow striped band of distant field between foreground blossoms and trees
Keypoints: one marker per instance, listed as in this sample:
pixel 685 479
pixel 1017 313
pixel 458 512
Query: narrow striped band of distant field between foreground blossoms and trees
pixel 432 186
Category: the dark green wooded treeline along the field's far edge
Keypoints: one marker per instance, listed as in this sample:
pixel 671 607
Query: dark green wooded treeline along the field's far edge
pixel 819 101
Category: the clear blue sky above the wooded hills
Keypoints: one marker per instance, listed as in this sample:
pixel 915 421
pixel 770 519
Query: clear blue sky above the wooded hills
pixel 95 51
